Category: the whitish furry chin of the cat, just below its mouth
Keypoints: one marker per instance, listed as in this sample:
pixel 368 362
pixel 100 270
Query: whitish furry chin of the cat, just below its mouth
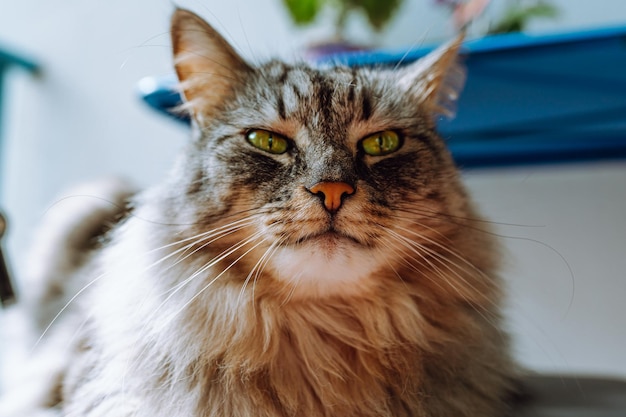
pixel 326 265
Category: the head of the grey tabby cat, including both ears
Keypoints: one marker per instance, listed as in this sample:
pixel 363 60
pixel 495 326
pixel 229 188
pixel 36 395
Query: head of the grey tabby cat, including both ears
pixel 331 173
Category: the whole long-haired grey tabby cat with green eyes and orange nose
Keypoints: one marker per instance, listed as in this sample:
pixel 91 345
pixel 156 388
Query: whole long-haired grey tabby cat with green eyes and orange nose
pixel 312 253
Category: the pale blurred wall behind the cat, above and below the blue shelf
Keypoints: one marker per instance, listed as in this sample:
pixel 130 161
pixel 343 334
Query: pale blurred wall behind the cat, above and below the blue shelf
pixel 80 118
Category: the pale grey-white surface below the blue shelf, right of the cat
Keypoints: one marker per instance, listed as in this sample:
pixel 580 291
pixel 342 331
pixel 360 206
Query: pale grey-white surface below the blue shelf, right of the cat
pixel 564 230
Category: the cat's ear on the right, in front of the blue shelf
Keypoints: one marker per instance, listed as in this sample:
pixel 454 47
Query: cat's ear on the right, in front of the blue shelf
pixel 437 79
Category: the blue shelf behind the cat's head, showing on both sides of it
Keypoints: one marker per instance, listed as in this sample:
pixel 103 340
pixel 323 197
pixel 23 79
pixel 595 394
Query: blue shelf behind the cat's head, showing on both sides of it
pixel 528 99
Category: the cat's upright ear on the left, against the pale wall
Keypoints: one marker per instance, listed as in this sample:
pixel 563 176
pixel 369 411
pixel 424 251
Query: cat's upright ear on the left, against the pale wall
pixel 207 66
